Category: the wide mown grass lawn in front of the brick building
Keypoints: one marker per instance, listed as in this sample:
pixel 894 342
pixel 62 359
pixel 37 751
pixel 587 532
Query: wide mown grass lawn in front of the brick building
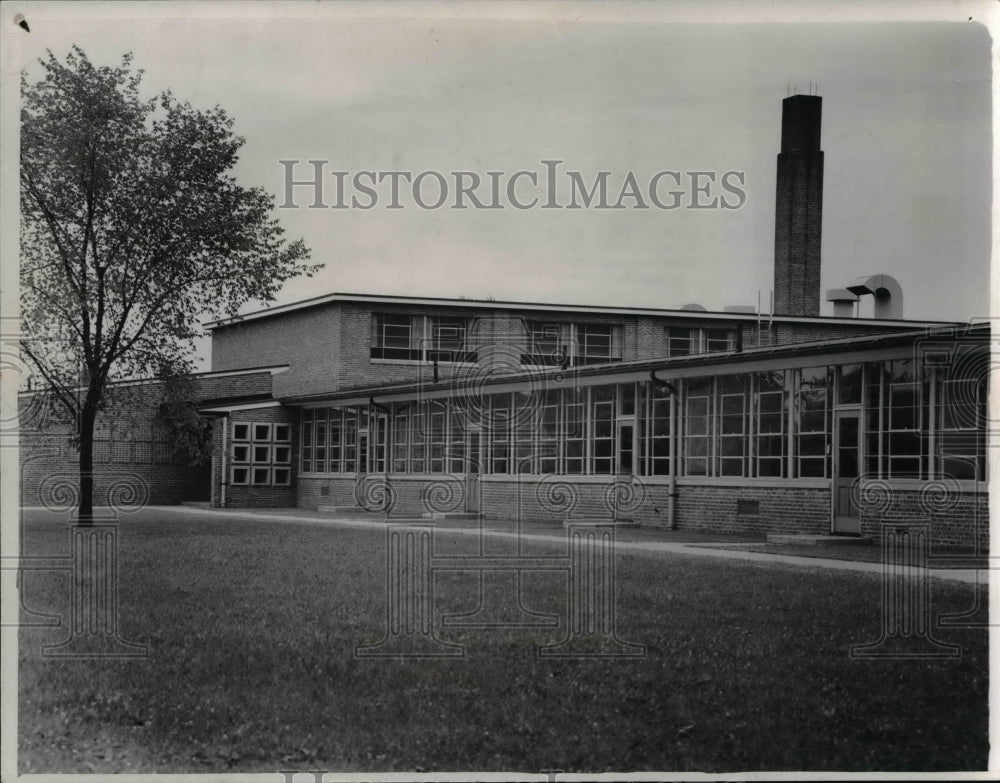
pixel 252 627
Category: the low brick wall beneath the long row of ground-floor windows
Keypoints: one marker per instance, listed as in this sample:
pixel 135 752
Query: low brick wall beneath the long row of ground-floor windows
pixel 739 509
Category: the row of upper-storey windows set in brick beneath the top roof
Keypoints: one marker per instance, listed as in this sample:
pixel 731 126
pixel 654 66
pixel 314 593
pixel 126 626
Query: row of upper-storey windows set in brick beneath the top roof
pixel 548 343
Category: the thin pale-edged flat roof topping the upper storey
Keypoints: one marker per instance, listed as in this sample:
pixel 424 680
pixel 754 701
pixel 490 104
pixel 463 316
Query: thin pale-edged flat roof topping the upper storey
pixel 487 304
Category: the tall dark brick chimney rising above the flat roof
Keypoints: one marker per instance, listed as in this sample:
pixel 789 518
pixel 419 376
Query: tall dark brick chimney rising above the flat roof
pixel 798 220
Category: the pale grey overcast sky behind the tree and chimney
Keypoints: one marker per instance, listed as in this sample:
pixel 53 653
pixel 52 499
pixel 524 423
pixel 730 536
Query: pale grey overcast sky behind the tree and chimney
pixel 906 132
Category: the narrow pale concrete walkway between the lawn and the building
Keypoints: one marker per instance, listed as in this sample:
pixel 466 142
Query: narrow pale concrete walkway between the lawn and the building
pixel 298 516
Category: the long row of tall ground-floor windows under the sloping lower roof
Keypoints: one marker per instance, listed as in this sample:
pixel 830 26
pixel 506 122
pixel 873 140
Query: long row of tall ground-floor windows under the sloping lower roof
pixel 776 424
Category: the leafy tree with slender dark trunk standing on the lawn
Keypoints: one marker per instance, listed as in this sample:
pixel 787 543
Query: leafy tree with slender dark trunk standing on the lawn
pixel 133 228
